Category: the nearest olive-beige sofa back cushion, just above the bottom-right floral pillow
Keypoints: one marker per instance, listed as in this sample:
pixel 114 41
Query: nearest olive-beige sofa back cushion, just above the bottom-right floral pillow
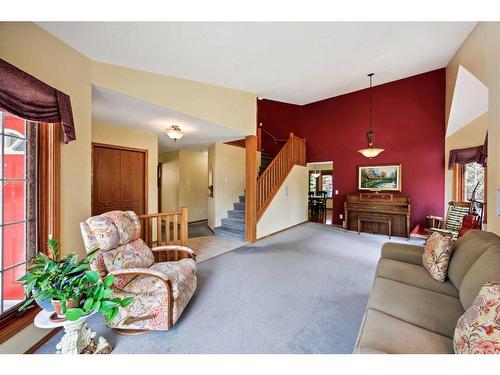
pixel 486 268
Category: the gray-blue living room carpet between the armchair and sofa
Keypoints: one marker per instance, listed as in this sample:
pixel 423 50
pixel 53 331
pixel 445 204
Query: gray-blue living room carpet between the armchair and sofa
pixel 300 291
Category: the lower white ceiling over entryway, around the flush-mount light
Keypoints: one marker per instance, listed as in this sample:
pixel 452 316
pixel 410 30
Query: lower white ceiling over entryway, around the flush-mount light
pixel 124 111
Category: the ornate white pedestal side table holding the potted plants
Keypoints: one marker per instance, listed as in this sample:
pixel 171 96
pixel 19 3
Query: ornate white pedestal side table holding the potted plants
pixel 78 337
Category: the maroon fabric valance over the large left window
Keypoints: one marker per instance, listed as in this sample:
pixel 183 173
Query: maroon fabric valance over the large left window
pixel 29 98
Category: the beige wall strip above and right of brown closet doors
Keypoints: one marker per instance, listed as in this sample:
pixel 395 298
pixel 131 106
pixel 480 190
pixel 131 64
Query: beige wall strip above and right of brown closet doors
pixel 119 136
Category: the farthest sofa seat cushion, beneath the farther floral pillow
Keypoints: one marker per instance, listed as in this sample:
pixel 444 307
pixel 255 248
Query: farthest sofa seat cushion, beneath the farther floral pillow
pixel 413 275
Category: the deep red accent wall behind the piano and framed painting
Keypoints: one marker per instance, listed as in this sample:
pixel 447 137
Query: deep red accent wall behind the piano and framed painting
pixel 409 120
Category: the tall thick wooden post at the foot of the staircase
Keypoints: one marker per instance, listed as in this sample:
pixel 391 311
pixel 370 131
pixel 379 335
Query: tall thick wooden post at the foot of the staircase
pixel 251 188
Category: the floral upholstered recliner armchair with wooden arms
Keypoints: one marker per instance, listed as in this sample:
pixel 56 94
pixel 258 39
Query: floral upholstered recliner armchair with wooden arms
pixel 161 290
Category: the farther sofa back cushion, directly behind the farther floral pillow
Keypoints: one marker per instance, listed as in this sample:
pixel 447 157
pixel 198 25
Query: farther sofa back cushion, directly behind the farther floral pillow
pixel 466 251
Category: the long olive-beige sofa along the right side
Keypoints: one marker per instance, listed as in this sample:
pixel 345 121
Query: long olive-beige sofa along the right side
pixel 409 312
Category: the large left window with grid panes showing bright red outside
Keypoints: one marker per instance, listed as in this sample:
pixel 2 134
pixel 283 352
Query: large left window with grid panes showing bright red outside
pixel 17 205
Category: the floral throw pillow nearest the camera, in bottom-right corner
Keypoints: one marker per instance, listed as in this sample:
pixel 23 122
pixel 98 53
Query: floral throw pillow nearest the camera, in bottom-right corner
pixel 478 329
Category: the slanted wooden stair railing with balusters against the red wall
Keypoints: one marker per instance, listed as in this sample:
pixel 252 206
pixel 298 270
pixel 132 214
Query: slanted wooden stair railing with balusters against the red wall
pixel 269 182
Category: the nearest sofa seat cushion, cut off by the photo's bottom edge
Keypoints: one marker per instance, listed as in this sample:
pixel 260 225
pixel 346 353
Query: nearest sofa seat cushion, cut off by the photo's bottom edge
pixel 384 333
